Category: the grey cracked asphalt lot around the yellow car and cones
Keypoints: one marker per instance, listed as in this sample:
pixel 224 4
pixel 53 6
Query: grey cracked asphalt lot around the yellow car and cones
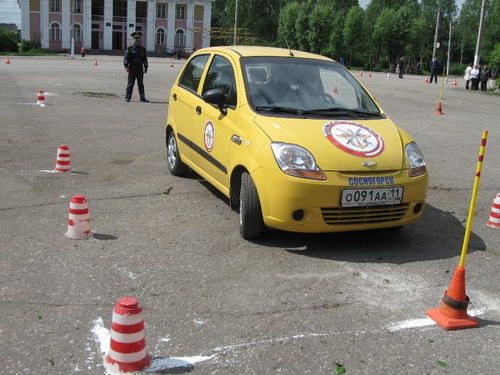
pixel 214 303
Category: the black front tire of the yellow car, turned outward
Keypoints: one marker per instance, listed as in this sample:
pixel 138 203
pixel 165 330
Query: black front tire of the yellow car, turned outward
pixel 251 221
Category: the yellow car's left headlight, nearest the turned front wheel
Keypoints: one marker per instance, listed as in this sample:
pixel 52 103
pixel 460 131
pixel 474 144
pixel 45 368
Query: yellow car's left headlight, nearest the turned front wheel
pixel 296 161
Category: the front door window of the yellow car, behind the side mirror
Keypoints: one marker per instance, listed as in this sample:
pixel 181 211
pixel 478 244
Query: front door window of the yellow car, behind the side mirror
pixel 221 76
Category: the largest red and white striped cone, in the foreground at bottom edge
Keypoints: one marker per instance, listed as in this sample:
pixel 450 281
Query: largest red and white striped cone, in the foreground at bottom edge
pixel 127 352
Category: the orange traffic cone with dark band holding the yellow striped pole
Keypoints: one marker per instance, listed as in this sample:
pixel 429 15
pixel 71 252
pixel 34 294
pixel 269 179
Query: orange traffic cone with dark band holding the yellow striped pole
pixel 452 314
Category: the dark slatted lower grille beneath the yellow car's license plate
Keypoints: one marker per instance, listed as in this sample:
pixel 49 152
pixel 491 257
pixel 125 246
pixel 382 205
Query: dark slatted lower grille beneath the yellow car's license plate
pixel 363 215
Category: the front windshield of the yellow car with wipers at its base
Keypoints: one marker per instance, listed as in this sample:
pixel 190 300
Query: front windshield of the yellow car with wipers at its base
pixel 291 85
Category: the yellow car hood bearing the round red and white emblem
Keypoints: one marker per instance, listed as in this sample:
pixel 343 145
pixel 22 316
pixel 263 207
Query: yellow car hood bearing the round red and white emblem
pixel 341 145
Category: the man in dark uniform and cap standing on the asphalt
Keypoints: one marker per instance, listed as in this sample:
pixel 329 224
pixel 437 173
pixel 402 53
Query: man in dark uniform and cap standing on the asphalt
pixel 135 58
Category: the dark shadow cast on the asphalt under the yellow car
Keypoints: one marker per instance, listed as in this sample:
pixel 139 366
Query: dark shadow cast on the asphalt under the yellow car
pixel 438 235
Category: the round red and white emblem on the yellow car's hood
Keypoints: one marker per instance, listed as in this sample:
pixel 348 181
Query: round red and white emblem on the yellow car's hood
pixel 355 139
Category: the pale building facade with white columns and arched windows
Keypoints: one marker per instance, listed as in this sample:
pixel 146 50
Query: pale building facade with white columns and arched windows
pixel 166 25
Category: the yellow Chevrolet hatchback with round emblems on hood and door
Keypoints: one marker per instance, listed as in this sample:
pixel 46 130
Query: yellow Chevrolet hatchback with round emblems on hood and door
pixel 294 140
